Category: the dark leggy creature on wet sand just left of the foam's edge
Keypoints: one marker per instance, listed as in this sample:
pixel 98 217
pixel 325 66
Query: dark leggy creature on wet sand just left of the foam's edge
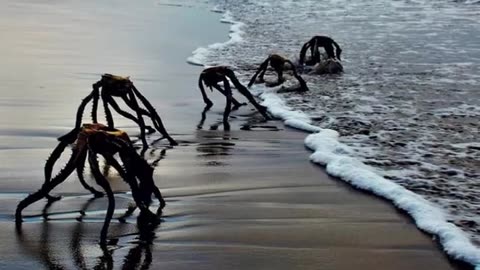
pixel 214 75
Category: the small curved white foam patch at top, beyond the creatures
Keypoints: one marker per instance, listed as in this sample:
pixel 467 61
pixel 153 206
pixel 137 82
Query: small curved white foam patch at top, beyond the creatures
pixel 200 55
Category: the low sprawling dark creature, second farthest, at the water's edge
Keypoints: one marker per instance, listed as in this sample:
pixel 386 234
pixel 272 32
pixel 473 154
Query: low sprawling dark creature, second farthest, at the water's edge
pixel 278 63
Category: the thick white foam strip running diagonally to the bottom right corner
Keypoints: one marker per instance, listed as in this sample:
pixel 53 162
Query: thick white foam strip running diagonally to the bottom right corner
pixel 336 157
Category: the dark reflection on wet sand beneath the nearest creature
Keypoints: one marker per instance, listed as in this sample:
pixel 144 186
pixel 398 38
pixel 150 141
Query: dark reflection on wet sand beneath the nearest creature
pixel 139 255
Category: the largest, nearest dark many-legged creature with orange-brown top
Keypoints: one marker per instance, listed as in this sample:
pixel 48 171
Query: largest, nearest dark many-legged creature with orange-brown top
pixel 89 141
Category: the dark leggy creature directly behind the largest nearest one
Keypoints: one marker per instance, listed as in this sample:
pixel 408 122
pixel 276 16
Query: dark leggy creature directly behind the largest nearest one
pixel 117 86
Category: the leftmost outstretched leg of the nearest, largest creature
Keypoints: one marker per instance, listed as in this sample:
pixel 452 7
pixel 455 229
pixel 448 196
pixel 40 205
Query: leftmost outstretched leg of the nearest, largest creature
pixel 46 187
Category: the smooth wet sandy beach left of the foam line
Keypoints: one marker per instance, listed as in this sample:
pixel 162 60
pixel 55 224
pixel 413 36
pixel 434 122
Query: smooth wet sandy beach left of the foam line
pixel 241 199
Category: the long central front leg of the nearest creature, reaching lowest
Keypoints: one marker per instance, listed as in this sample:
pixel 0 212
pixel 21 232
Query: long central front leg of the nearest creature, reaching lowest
pixel 102 181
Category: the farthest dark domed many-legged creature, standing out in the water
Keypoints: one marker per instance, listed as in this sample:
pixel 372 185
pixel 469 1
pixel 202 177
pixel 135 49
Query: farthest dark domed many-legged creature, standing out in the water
pixel 320 41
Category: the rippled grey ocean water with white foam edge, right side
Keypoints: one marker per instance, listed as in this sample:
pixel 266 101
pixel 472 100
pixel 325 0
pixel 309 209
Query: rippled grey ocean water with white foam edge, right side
pixel 402 121
